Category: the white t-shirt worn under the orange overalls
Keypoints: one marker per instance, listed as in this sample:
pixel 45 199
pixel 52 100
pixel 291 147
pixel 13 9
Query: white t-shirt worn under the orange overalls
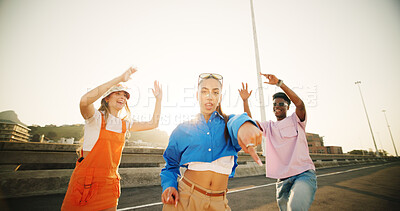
pixel 93 126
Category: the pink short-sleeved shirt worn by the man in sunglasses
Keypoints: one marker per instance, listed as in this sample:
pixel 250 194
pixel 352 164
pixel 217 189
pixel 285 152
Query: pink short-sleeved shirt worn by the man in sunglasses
pixel 286 147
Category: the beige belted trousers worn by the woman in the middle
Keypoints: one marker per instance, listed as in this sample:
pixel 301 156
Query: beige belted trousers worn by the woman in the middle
pixel 190 199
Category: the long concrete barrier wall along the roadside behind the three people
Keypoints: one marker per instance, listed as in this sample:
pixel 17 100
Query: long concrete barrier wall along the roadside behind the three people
pixel 46 168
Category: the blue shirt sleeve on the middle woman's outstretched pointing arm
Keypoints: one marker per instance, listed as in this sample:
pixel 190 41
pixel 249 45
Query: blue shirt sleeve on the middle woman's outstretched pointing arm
pixel 234 123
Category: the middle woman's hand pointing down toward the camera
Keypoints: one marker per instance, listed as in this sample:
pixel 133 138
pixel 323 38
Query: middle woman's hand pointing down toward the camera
pixel 250 136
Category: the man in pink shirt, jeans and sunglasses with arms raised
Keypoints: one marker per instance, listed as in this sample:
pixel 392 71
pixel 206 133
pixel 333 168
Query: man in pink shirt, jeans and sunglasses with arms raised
pixel 287 157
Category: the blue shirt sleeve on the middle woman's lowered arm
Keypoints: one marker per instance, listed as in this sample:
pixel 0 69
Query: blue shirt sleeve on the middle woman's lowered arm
pixel 172 155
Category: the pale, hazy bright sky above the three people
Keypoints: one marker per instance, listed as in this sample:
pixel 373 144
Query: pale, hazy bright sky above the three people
pixel 52 52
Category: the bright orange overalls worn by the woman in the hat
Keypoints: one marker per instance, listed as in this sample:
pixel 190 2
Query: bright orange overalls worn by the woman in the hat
pixel 94 184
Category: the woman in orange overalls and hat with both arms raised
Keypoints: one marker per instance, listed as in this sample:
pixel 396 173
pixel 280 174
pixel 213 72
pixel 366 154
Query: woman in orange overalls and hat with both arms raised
pixel 94 184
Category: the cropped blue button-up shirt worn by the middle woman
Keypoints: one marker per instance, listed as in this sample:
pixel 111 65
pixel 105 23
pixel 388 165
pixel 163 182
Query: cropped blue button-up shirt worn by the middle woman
pixel 201 141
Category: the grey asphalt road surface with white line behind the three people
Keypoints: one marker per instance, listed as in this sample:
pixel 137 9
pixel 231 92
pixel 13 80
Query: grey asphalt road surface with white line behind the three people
pixel 357 187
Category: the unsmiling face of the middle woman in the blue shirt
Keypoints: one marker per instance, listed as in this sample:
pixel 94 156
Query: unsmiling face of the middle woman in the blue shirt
pixel 209 96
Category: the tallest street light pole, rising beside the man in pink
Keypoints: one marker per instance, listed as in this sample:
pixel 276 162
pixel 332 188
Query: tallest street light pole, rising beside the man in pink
pixel 260 89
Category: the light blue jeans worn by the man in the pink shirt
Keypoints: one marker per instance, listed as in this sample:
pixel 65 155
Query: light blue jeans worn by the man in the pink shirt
pixel 296 192
